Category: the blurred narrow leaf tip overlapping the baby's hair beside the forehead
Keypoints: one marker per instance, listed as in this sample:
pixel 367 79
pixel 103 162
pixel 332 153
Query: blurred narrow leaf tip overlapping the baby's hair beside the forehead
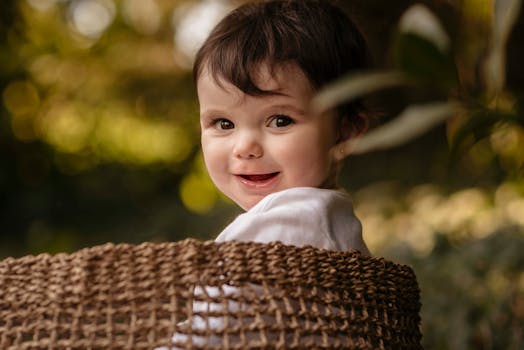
pixel 355 85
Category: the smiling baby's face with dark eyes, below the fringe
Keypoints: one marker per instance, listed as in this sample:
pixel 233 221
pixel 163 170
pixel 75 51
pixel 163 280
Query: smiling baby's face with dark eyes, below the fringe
pixel 257 145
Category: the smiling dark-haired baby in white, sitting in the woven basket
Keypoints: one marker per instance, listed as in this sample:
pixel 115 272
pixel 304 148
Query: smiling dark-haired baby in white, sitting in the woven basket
pixel 263 145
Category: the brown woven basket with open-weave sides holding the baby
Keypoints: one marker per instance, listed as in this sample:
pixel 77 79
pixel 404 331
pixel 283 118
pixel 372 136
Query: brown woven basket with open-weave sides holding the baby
pixel 255 296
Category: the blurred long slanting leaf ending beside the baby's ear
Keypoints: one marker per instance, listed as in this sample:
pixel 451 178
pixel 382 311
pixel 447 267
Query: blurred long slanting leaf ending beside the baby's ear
pixel 412 122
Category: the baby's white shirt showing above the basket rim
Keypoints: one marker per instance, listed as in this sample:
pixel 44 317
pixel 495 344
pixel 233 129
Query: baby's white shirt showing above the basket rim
pixel 300 216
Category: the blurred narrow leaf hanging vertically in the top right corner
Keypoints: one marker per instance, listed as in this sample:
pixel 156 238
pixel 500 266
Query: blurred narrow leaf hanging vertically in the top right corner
pixel 505 17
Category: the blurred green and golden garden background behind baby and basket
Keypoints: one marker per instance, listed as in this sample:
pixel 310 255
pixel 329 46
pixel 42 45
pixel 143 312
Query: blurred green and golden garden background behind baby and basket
pixel 99 142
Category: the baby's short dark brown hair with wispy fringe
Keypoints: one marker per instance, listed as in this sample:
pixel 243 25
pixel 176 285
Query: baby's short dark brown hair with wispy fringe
pixel 314 34
